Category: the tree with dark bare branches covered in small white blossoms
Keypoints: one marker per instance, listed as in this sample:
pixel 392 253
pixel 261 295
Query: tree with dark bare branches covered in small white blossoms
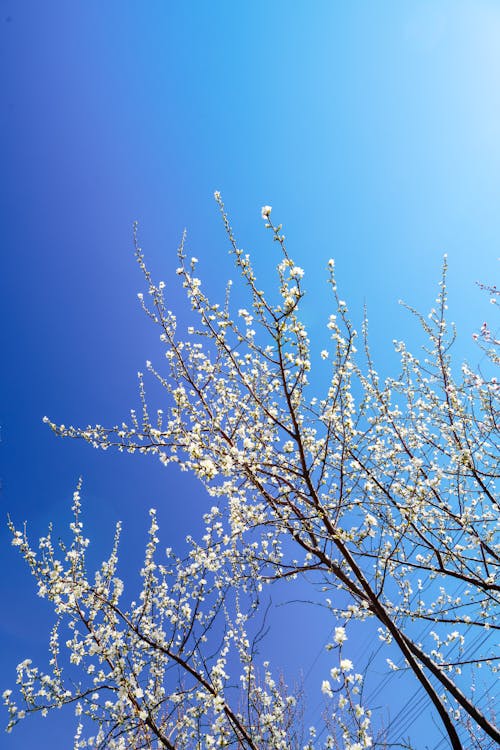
pixel 382 492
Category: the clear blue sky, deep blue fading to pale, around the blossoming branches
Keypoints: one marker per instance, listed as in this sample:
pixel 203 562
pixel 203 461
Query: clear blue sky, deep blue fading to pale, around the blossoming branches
pixel 373 129
